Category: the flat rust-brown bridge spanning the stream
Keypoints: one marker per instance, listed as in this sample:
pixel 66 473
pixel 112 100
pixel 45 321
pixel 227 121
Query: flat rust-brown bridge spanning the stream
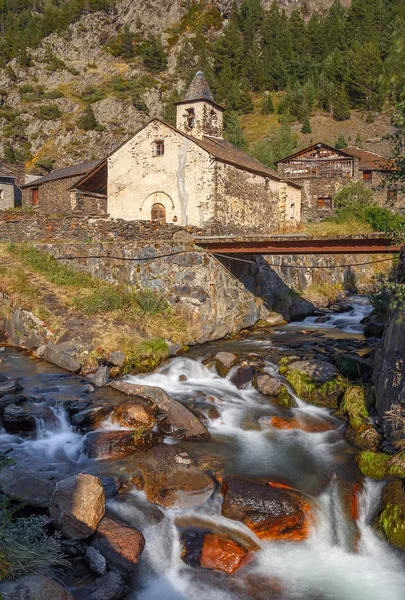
pixel 374 243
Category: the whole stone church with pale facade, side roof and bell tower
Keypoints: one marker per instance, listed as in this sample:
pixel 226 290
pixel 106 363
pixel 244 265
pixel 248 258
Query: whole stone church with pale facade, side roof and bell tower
pixel 190 175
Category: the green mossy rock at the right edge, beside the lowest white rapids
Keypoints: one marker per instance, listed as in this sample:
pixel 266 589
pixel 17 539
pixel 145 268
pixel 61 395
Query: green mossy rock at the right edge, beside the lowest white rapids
pixel 392 517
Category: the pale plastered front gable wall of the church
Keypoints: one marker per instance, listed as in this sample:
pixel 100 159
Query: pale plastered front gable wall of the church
pixel 182 179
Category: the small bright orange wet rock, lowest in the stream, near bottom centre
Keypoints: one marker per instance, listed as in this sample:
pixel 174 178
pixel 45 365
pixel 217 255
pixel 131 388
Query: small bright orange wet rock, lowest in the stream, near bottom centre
pixel 223 554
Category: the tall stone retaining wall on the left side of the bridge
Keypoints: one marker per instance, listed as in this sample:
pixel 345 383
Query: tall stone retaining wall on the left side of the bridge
pixel 211 300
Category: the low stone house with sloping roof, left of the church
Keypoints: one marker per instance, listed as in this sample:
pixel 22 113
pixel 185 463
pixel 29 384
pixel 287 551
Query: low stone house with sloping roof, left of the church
pixel 50 193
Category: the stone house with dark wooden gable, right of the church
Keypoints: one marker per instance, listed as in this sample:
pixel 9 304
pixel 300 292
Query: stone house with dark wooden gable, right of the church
pixel 322 170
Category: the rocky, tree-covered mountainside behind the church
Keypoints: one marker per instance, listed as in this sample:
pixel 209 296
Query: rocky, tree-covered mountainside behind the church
pixel 77 77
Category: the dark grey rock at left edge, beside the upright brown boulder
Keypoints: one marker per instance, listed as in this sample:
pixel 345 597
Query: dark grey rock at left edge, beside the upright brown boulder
pixel 31 488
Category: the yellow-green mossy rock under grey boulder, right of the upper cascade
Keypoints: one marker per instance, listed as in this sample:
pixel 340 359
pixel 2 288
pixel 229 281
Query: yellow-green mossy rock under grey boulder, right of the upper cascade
pixel 326 395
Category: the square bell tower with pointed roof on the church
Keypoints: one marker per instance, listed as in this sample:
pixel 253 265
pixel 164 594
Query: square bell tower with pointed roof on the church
pixel 198 114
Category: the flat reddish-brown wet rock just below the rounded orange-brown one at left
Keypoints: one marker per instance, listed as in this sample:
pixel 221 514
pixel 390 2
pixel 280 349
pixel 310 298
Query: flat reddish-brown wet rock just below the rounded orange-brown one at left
pixel 116 444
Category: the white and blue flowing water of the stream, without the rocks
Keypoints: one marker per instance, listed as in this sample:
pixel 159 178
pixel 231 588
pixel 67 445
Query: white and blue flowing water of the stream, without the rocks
pixel 343 559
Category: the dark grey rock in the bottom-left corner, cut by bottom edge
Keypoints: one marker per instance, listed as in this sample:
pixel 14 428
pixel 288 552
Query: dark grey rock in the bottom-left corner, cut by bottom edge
pixel 34 587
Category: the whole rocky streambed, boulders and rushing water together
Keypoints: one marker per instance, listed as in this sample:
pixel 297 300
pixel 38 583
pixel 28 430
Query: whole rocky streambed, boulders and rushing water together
pixel 189 457
